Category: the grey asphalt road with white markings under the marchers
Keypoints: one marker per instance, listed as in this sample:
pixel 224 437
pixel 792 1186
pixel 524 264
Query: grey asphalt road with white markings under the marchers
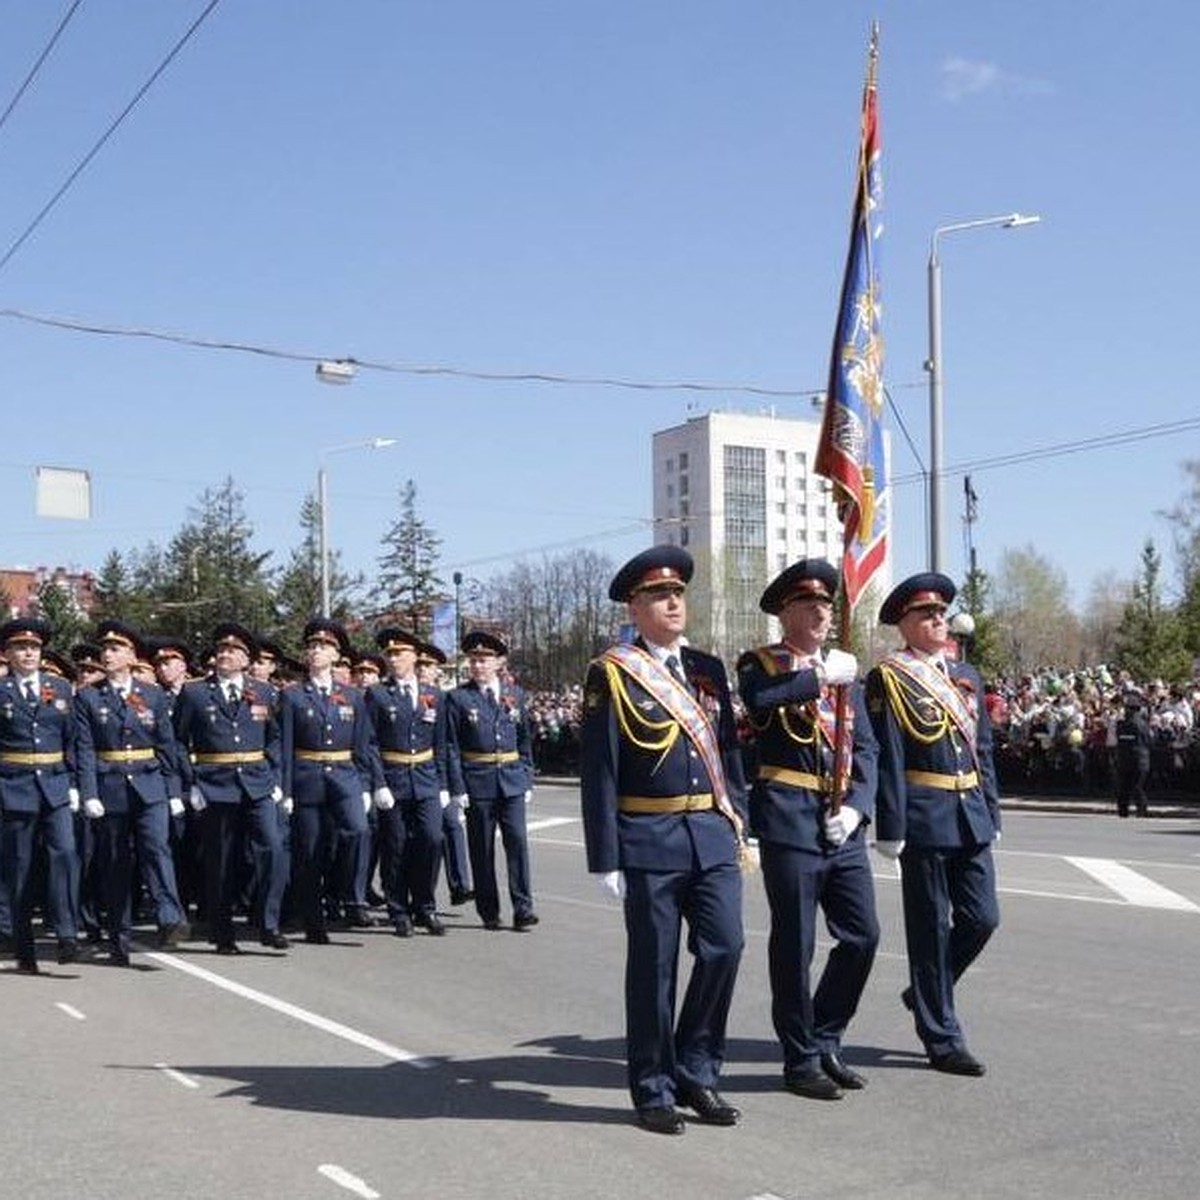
pixel 490 1064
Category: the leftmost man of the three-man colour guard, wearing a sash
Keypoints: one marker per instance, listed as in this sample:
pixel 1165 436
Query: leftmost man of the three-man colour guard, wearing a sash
pixel 664 811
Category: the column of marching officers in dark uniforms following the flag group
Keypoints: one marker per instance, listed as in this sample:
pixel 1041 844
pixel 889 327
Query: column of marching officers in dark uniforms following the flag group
pixel 267 789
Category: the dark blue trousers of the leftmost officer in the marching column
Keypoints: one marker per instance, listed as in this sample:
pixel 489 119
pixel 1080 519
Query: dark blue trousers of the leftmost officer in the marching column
pixel 19 839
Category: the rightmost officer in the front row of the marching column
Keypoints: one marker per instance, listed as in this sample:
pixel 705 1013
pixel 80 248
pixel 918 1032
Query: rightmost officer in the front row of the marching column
pixel 490 772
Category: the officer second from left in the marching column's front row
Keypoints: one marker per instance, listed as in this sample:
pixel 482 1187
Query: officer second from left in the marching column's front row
pixel 130 779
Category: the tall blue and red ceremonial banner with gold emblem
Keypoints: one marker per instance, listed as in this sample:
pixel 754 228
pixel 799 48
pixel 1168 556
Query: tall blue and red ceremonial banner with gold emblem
pixel 851 452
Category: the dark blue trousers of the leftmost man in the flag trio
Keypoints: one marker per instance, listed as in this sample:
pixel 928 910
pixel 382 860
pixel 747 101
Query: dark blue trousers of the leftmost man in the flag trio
pixel 664 1054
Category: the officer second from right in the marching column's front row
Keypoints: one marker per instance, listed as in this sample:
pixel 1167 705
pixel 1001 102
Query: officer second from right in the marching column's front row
pixel 410 728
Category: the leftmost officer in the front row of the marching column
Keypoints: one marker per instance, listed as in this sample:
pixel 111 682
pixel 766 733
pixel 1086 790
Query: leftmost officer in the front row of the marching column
pixel 38 793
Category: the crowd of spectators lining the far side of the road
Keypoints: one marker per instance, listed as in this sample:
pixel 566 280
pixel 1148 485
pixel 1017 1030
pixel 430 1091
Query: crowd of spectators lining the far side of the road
pixel 1055 731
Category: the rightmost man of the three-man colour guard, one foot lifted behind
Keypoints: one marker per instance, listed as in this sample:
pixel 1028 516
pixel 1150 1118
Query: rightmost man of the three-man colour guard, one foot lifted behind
pixel 938 808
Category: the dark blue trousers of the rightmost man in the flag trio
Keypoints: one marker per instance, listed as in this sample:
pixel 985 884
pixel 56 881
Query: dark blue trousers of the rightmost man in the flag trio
pixel 950 913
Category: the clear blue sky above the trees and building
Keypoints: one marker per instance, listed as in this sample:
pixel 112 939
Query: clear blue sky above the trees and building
pixel 619 189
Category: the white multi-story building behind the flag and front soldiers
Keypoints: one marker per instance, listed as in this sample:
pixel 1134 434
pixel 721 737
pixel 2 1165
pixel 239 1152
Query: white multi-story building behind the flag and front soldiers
pixel 740 493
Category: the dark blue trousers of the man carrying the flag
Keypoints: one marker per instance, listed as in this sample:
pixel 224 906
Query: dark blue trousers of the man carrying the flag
pixel 799 885
